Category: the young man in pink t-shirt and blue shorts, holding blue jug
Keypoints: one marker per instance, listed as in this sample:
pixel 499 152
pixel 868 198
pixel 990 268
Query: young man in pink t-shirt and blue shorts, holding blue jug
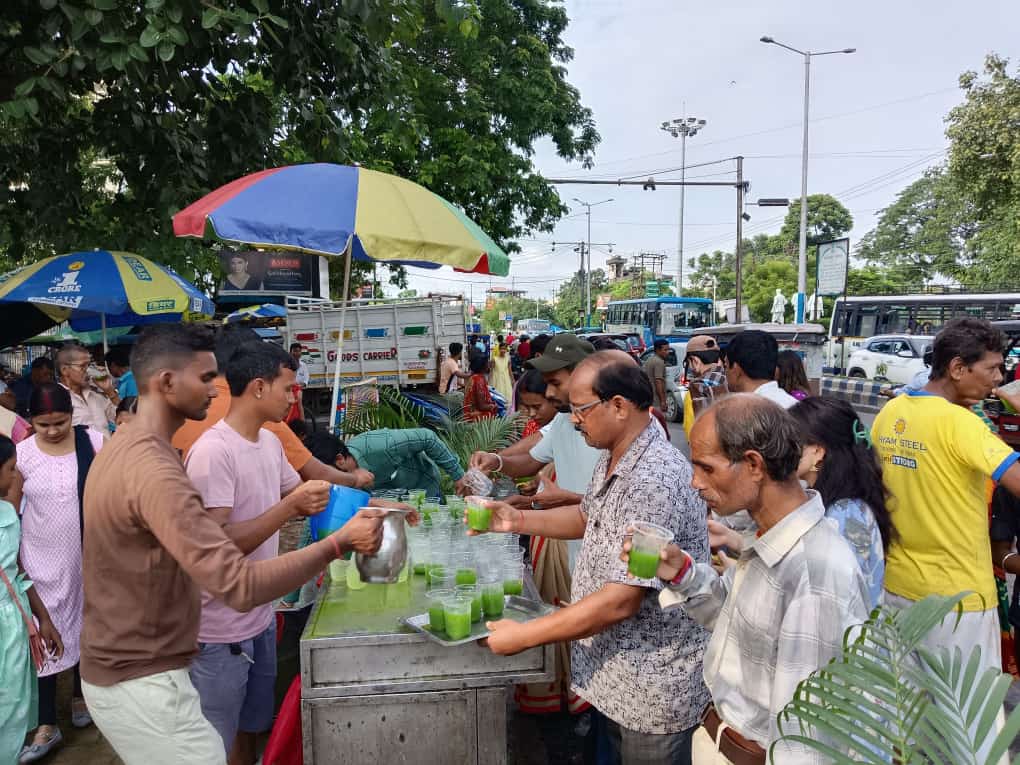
pixel 247 485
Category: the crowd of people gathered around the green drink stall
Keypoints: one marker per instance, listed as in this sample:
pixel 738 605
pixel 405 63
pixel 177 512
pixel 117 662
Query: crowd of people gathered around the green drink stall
pixel 789 524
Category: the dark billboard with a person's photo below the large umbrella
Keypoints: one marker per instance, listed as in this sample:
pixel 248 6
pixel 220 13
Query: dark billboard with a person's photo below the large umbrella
pixel 261 274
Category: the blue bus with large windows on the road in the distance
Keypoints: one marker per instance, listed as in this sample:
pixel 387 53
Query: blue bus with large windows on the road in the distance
pixel 673 319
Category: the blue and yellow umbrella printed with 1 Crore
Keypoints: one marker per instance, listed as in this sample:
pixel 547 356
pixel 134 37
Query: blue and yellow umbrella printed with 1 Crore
pixel 95 290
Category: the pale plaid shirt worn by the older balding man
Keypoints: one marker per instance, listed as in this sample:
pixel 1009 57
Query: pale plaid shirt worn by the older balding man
pixel 777 617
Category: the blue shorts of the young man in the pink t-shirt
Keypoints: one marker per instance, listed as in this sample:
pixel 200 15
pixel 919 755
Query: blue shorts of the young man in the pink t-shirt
pixel 236 684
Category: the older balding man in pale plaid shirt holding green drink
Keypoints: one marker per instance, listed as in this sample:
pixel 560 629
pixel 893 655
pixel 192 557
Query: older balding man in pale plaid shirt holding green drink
pixel 781 614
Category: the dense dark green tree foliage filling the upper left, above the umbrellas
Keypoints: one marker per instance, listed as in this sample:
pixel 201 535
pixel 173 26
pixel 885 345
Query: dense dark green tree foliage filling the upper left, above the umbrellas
pixel 117 114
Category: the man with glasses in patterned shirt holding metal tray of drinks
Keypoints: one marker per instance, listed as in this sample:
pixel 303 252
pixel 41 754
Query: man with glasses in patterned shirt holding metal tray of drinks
pixel 640 669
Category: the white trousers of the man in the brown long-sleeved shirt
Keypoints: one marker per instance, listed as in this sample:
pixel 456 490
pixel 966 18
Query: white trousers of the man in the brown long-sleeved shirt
pixel 156 721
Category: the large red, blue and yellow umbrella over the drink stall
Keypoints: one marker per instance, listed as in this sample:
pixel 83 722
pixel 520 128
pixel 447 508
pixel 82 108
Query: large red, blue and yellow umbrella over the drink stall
pixel 330 210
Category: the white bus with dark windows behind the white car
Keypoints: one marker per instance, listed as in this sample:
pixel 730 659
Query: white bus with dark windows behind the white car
pixel 857 319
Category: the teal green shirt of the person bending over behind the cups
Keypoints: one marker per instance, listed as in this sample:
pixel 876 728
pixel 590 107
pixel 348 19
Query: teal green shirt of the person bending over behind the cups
pixel 413 454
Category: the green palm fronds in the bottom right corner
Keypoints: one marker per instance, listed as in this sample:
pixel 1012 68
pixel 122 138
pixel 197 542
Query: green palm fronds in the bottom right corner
pixel 889 699
